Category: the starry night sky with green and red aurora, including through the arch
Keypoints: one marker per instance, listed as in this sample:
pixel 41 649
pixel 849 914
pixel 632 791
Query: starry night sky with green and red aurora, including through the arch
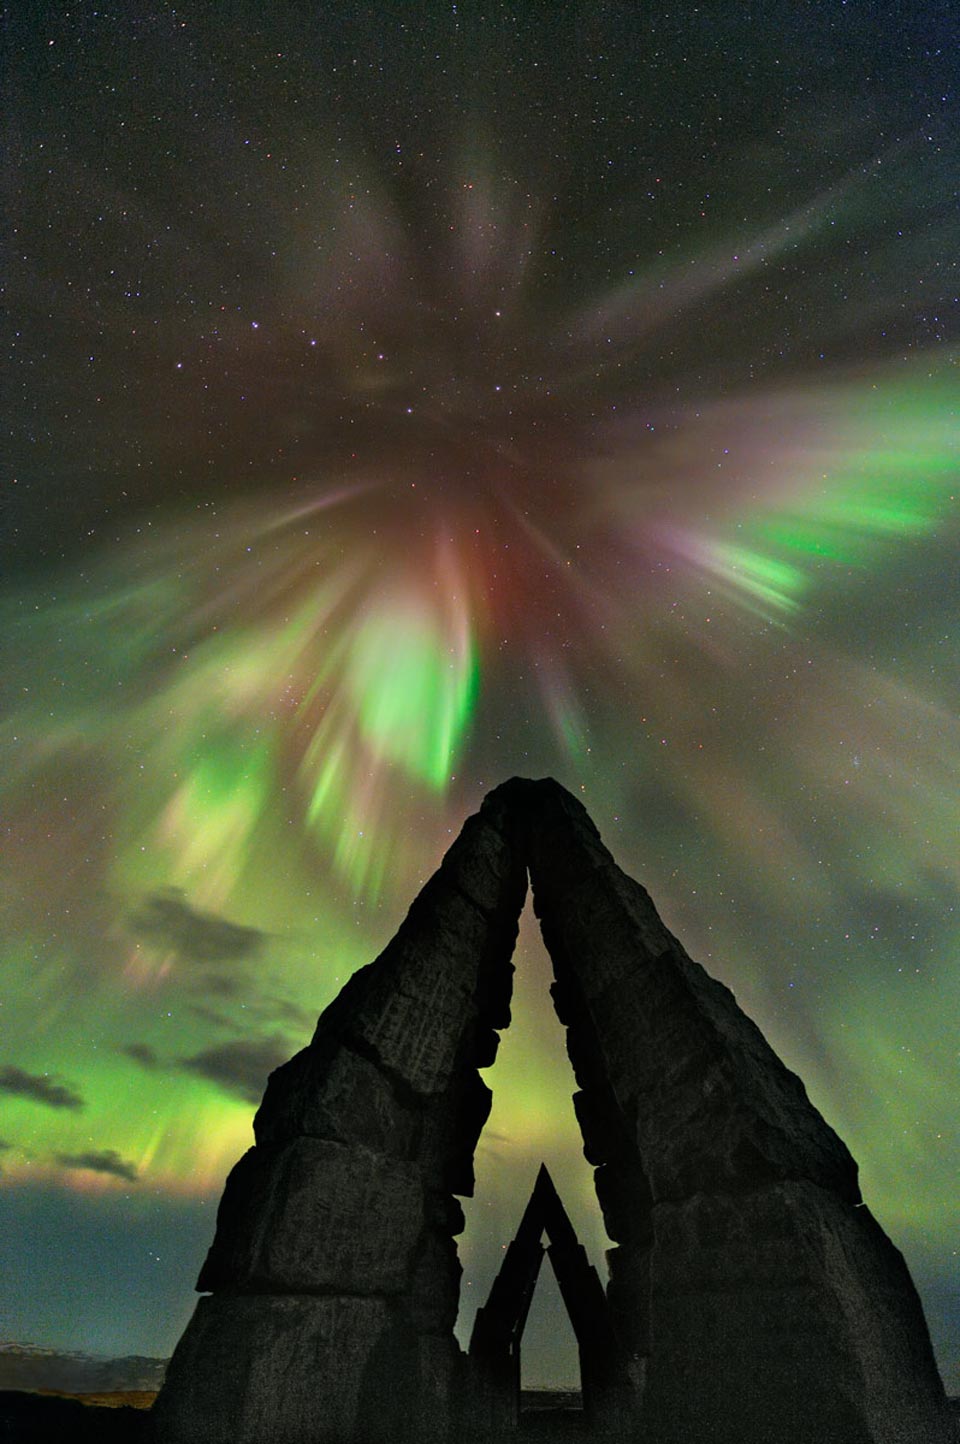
pixel 402 398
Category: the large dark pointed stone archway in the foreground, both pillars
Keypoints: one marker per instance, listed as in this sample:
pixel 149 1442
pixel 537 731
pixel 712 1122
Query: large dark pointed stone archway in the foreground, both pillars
pixel 751 1292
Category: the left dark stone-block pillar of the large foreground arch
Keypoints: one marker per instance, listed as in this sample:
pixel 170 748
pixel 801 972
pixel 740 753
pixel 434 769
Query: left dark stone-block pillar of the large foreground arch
pixel 334 1279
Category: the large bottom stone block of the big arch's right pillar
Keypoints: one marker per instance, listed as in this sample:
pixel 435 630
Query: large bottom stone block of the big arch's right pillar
pixel 786 1318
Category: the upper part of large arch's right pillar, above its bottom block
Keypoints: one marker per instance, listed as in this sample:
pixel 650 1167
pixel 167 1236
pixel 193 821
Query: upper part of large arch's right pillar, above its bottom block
pixel 708 1100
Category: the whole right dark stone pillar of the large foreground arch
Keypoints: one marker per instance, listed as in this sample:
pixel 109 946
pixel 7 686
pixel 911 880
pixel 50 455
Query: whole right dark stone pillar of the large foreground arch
pixel 762 1297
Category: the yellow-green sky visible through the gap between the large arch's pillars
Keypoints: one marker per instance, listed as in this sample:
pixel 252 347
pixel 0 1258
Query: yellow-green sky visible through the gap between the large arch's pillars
pixel 532 1121
